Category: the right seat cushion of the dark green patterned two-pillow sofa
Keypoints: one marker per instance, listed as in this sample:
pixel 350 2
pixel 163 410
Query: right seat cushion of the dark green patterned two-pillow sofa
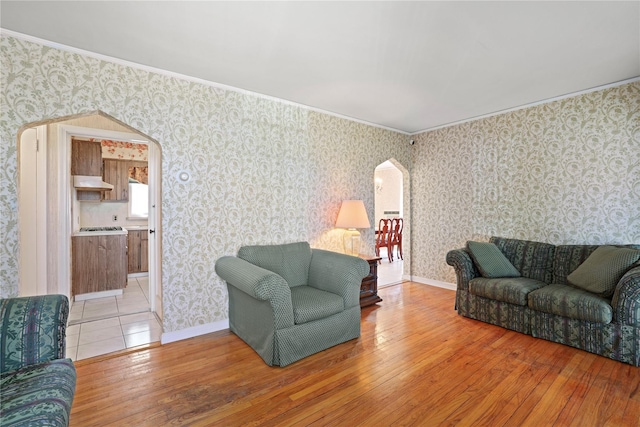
pixel 574 303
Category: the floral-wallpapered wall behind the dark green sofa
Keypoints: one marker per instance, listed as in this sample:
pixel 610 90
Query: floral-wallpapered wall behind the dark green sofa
pixel 565 172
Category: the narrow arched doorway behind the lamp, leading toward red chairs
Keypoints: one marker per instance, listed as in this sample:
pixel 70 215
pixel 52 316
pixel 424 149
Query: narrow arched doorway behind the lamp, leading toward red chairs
pixel 391 200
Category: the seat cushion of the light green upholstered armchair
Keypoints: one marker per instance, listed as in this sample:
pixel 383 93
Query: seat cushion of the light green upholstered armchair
pixel 312 304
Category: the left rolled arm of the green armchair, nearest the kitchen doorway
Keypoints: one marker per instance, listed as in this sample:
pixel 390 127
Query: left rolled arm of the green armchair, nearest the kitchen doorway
pixel 259 283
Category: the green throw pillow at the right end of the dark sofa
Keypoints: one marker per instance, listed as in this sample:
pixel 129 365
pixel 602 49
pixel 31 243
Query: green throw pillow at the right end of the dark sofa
pixel 601 272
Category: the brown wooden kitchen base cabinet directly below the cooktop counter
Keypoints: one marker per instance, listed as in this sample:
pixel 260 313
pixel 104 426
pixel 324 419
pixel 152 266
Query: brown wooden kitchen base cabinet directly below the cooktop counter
pixel 99 263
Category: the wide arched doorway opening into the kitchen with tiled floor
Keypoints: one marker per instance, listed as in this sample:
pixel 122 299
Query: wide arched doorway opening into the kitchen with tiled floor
pixel 99 323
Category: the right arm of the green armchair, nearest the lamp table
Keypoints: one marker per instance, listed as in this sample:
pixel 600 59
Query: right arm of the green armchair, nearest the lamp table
pixel 339 274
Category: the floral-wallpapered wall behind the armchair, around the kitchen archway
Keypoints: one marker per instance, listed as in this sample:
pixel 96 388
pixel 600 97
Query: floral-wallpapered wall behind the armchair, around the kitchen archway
pixel 262 171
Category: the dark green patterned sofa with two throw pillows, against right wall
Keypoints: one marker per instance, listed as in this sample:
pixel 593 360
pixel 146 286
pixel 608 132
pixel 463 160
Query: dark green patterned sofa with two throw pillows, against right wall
pixel 543 304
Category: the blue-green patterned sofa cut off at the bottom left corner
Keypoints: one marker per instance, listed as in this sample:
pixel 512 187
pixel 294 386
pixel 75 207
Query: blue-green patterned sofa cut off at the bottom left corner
pixel 36 383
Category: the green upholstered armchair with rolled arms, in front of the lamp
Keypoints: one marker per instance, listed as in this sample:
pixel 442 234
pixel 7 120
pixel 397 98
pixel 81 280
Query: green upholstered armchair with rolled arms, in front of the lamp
pixel 290 301
